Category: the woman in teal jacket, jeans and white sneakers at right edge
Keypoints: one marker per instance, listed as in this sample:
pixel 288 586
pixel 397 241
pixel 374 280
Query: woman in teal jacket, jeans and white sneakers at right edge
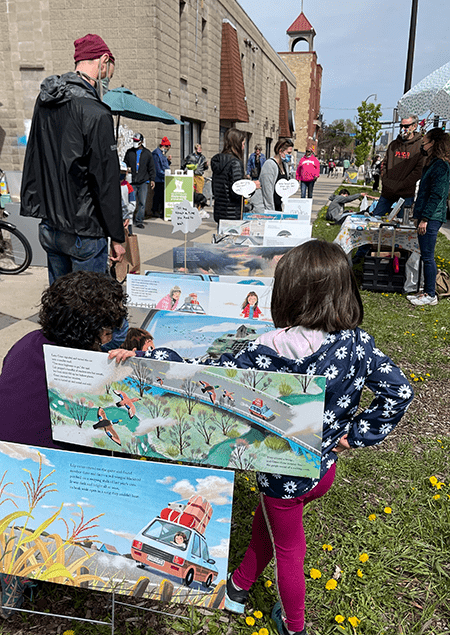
pixel 430 210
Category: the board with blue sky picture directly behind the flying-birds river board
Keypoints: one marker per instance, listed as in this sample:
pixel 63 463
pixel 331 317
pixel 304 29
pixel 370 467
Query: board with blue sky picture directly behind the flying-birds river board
pixel 195 336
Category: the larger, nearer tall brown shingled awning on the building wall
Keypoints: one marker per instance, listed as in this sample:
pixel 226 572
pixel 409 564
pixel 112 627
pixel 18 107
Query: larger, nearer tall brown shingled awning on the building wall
pixel 233 105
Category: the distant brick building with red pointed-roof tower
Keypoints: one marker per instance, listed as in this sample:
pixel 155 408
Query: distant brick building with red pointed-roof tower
pixel 308 73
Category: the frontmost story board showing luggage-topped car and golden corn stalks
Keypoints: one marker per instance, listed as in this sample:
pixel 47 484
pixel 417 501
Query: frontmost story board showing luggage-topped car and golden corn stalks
pixel 138 528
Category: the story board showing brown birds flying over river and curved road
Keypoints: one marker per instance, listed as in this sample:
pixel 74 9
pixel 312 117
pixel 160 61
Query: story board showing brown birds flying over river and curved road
pixel 225 417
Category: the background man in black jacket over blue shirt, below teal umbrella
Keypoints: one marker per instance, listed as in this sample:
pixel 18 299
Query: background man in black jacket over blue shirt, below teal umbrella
pixel 140 160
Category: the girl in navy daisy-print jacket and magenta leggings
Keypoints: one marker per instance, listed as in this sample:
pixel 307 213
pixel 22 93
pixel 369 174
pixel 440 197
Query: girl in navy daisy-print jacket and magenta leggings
pixel 317 310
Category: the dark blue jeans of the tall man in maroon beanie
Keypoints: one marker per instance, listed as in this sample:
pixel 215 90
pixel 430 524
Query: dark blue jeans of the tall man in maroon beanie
pixel 69 252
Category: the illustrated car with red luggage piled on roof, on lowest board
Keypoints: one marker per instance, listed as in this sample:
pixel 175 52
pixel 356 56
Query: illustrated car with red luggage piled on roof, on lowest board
pixel 174 543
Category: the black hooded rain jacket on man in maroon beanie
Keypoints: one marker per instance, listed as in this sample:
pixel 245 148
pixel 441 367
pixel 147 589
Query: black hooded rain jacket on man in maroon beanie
pixel 71 176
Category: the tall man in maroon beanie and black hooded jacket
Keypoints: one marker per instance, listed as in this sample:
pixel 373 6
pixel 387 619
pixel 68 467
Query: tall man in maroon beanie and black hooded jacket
pixel 71 169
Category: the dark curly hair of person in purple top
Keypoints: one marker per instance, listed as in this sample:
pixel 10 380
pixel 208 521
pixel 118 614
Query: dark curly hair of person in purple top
pixel 78 306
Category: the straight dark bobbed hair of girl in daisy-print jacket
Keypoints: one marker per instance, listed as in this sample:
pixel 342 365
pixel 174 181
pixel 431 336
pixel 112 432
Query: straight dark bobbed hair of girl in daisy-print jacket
pixel 314 287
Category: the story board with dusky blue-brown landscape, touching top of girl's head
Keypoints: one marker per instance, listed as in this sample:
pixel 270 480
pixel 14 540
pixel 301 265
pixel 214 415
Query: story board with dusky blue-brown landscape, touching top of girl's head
pixel 228 259
